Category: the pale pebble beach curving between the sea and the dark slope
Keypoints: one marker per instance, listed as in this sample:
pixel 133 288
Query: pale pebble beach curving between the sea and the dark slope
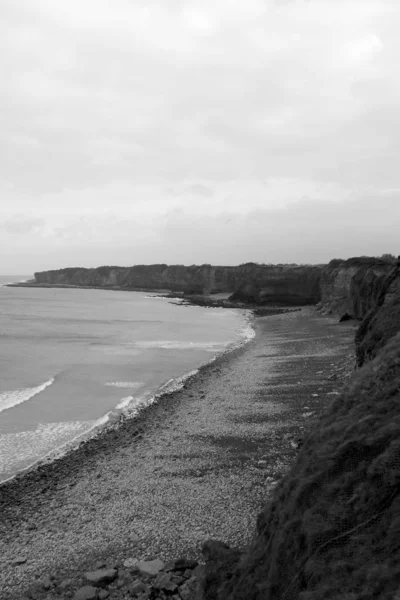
pixel 198 464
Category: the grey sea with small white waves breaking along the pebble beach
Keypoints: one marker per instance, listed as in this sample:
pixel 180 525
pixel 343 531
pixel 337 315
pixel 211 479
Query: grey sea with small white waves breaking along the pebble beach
pixel 70 359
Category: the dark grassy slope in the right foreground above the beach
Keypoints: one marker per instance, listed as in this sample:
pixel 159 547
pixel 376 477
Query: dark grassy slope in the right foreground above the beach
pixel 333 527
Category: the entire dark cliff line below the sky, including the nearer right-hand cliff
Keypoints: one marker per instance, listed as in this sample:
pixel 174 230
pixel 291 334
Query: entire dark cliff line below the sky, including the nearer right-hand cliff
pixel 352 286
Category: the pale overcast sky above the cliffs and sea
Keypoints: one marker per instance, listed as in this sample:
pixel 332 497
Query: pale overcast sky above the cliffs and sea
pixel 198 131
